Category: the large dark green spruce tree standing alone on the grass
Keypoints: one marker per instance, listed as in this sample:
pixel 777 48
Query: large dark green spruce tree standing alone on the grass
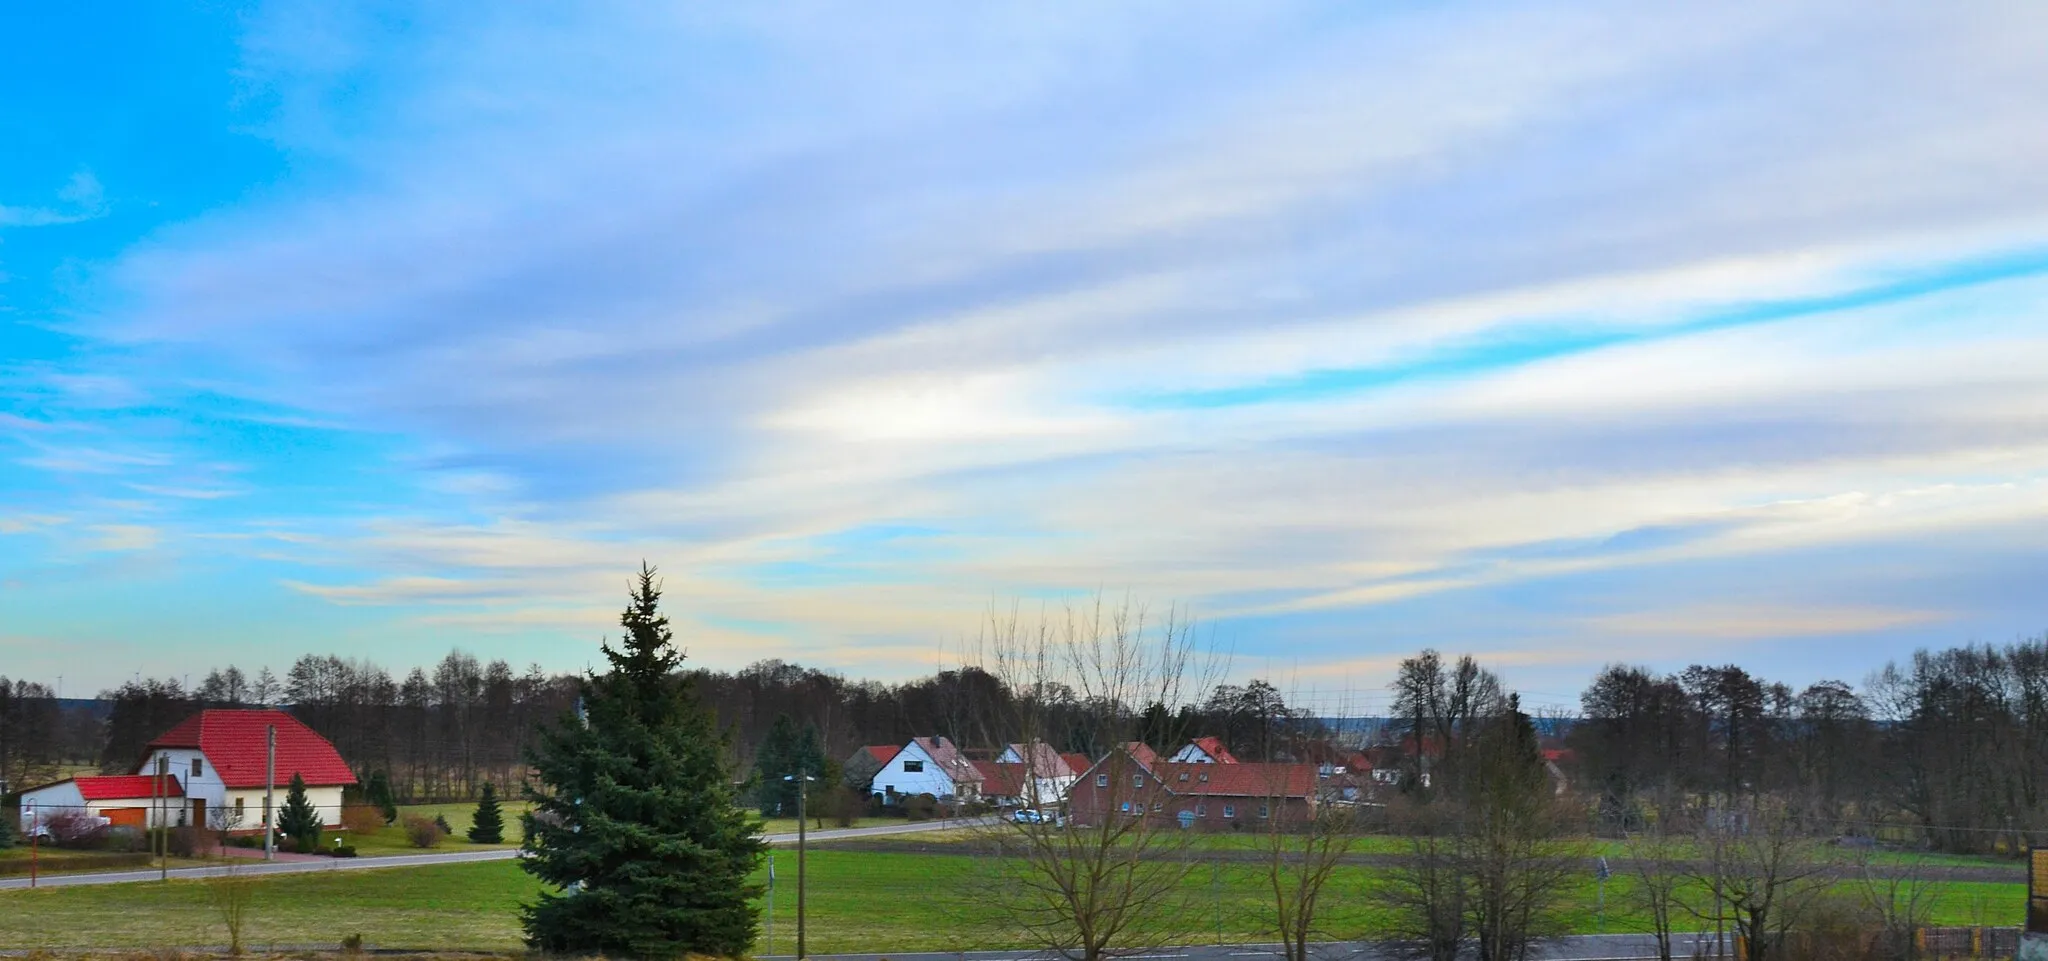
pixel 636 821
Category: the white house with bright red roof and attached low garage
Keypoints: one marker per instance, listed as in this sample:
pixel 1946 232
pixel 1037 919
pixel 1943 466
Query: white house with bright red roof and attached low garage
pixel 216 761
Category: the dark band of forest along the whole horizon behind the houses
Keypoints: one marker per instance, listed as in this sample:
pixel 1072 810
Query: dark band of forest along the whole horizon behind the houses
pixel 1949 745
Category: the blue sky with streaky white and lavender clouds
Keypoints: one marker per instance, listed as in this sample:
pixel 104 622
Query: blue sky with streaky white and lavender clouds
pixel 1549 333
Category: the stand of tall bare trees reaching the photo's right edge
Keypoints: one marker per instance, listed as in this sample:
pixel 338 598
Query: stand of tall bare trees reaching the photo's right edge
pixel 1947 749
